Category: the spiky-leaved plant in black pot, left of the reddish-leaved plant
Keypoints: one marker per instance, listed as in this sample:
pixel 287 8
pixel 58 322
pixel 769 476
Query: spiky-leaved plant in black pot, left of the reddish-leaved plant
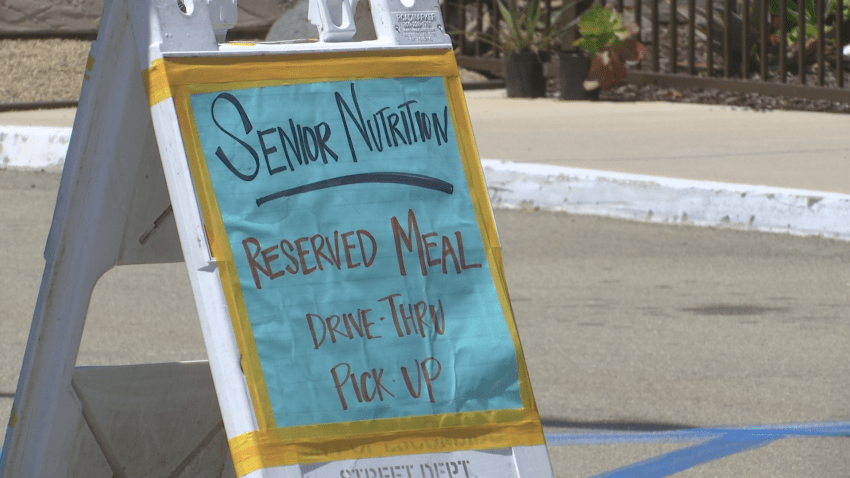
pixel 525 43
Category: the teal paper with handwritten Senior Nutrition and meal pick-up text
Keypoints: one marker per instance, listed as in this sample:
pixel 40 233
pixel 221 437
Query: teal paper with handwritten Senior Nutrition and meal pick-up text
pixel 358 250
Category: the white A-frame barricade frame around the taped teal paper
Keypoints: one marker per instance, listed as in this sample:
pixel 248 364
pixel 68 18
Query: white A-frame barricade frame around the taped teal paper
pixel 126 197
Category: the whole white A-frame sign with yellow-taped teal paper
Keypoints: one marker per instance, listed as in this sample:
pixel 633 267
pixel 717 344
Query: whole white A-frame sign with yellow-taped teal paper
pixel 329 204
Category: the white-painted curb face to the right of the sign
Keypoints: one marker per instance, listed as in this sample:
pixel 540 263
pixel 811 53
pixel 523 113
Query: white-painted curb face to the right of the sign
pixel 666 200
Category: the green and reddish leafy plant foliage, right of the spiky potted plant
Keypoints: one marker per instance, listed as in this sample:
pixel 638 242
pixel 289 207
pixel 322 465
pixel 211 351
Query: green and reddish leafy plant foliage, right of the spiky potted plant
pixel 605 38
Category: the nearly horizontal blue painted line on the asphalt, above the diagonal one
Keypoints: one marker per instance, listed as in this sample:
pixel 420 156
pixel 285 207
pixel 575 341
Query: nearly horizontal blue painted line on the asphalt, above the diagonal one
pixel 698 434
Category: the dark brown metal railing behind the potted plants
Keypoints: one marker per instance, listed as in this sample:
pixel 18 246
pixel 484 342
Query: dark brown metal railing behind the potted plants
pixel 737 45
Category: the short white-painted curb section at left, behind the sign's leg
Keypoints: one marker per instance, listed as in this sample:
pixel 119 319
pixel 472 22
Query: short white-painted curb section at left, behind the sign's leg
pixel 33 147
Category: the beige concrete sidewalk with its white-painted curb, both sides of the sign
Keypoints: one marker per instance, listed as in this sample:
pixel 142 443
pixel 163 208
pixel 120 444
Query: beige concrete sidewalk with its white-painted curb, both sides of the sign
pixel 660 162
